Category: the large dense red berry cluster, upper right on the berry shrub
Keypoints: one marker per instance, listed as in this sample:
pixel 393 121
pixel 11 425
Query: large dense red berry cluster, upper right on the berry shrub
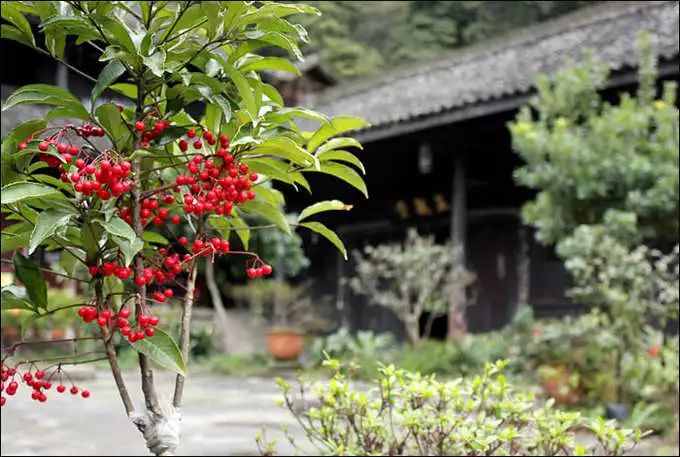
pixel 215 185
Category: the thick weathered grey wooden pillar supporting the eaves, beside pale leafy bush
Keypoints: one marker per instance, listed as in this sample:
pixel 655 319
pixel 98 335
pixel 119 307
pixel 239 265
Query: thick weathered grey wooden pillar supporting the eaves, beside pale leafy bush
pixel 457 321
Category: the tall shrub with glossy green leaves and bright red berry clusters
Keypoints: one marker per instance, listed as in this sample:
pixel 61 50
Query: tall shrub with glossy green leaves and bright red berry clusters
pixel 107 185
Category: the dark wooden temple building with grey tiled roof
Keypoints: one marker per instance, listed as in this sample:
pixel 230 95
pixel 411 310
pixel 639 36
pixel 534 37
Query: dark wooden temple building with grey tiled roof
pixel 438 157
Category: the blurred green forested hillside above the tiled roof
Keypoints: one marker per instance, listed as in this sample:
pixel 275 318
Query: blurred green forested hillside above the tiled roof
pixel 362 38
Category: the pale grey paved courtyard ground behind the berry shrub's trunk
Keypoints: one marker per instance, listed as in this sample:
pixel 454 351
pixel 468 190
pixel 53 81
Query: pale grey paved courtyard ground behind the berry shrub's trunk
pixel 221 417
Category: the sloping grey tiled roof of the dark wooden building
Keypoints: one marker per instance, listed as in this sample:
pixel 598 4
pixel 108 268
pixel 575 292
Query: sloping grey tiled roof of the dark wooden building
pixel 506 65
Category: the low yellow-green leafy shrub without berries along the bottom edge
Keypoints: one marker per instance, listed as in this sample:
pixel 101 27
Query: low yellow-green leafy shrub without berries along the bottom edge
pixel 410 414
